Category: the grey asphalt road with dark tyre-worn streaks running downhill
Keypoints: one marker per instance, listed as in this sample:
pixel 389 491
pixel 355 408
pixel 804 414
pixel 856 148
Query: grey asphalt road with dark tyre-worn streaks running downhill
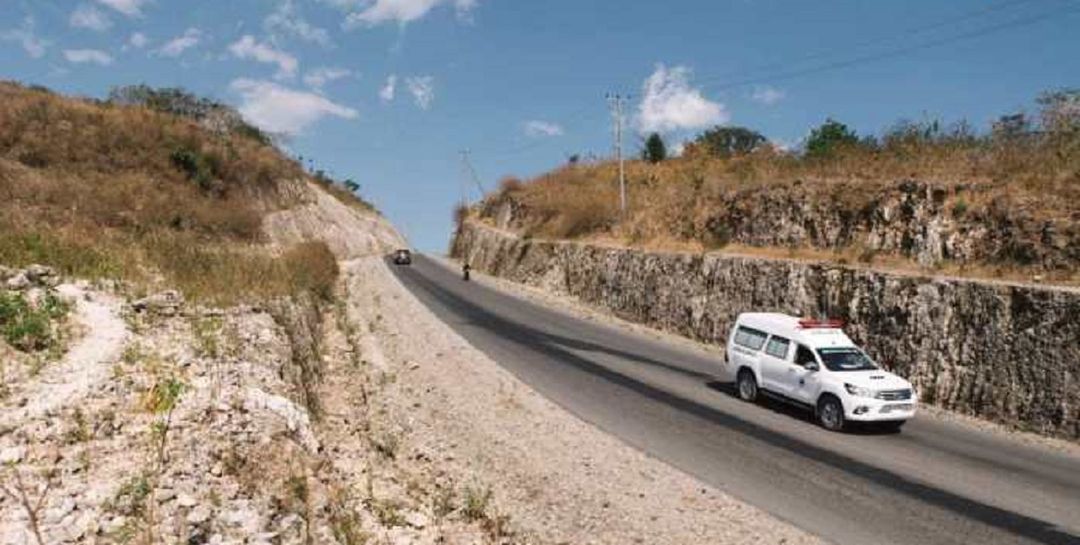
pixel 935 483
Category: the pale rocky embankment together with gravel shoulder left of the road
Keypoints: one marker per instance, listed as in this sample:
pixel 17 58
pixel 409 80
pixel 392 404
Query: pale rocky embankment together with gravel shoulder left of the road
pixel 355 419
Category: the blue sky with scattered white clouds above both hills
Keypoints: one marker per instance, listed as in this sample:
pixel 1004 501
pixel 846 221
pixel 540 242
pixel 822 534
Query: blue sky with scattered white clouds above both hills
pixel 389 92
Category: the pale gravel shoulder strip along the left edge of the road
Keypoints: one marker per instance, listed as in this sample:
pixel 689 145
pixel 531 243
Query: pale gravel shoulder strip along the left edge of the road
pixel 556 479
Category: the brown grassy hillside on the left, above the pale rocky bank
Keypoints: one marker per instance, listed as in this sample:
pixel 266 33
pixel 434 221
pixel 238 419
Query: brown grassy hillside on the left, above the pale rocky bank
pixel 137 192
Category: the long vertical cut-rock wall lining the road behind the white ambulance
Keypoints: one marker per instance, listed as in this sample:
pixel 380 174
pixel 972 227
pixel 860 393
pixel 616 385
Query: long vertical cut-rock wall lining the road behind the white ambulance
pixel 1007 353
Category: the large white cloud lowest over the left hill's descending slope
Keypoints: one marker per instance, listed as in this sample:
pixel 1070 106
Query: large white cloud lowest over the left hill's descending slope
pixel 281 111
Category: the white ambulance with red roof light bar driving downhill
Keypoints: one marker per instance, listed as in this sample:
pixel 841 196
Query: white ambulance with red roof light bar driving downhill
pixel 815 364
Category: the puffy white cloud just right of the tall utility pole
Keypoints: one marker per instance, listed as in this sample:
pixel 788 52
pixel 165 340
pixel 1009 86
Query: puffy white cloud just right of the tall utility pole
pixel 671 104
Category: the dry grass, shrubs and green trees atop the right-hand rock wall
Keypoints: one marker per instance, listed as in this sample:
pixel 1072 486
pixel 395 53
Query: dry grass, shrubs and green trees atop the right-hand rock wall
pixel 1021 175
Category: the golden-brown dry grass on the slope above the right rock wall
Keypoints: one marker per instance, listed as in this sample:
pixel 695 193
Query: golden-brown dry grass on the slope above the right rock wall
pixel 988 183
